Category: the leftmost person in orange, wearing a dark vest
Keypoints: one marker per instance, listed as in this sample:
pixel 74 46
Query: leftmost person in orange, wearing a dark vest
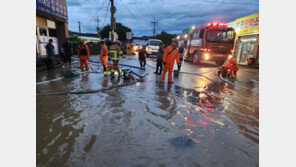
pixel 83 54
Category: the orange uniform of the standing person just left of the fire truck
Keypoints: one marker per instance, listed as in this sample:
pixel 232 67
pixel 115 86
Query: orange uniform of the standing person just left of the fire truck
pixel 170 61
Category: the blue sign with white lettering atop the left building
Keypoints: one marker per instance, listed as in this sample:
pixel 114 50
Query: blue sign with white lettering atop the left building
pixel 53 7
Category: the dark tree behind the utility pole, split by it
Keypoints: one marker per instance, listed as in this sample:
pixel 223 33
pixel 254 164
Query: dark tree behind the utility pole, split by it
pixel 121 30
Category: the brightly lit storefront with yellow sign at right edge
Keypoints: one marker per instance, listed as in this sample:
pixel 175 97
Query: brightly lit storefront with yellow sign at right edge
pixel 246 47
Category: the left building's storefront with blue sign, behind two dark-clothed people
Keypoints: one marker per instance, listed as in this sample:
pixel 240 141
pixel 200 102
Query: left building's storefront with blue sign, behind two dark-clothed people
pixel 51 23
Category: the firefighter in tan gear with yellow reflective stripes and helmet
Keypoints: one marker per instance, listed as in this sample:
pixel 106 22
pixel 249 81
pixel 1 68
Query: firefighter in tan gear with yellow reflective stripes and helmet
pixel 114 54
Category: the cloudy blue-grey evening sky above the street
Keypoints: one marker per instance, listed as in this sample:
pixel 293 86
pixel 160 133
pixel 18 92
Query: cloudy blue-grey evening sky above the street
pixel 173 16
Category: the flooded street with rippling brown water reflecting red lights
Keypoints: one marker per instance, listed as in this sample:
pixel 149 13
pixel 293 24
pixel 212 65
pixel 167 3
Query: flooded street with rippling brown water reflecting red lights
pixel 197 121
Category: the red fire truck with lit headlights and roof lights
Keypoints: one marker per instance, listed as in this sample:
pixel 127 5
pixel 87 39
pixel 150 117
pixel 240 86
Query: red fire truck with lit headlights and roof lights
pixel 210 42
